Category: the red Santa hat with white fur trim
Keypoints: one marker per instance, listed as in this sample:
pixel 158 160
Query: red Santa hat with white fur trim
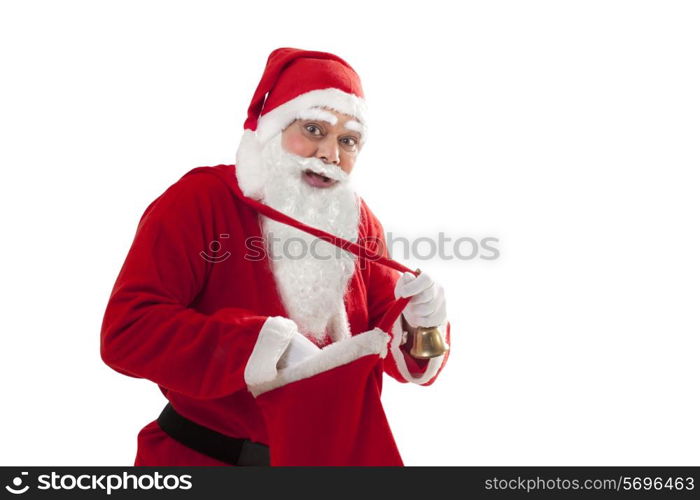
pixel 294 81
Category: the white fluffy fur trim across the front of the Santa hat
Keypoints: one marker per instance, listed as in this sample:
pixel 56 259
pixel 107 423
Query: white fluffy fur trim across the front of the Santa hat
pixel 277 120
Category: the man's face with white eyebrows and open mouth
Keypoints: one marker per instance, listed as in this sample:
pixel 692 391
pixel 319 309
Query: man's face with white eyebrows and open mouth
pixel 330 136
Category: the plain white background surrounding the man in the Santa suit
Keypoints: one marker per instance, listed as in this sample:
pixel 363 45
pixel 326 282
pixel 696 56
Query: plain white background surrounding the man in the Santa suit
pixel 568 130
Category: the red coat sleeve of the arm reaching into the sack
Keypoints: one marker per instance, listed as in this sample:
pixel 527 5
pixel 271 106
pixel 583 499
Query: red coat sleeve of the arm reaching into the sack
pixel 149 329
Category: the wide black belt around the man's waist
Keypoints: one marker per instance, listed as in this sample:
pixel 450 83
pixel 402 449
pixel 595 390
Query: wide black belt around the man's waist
pixel 211 443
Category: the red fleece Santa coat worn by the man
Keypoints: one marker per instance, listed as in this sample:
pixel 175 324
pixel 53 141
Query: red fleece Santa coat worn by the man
pixel 186 313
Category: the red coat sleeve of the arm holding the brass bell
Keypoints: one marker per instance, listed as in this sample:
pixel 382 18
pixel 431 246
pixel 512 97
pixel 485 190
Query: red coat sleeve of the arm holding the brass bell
pixel 380 295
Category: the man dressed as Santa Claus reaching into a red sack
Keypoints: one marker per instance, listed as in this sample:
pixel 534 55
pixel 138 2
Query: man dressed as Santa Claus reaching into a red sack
pixel 271 354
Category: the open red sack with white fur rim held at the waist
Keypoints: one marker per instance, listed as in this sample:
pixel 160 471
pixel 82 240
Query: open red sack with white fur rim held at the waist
pixel 326 410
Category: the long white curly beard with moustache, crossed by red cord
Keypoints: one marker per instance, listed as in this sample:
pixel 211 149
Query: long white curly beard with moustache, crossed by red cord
pixel 311 280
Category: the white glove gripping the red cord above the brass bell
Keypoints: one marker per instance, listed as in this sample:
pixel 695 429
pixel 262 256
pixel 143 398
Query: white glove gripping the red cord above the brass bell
pixel 427 305
